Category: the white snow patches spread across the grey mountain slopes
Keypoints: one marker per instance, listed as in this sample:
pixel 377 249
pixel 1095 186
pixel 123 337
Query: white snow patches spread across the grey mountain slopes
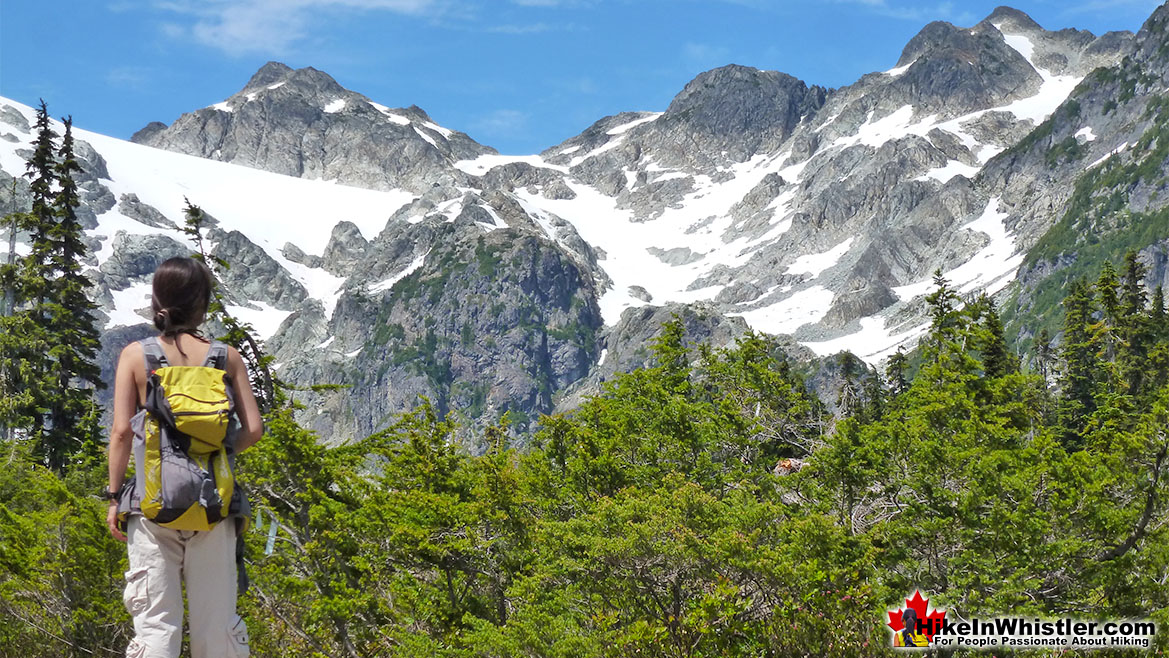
pixel 274 211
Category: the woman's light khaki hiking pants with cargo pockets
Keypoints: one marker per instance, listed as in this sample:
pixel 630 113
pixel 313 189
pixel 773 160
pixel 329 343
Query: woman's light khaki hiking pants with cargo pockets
pixel 161 562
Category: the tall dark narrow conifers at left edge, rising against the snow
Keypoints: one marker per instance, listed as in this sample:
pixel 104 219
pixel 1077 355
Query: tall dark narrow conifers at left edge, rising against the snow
pixel 49 335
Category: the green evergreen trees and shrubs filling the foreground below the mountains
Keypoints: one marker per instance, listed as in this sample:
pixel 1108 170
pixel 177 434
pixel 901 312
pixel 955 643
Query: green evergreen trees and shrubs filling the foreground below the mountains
pixel 708 505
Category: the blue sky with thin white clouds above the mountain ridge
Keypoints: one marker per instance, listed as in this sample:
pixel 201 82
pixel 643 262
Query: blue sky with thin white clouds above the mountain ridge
pixel 518 75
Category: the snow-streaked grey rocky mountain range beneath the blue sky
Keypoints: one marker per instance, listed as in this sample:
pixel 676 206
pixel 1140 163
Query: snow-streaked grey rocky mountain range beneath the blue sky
pixel 379 251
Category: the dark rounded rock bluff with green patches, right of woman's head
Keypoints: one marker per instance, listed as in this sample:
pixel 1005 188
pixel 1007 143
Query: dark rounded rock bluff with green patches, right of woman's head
pixel 488 324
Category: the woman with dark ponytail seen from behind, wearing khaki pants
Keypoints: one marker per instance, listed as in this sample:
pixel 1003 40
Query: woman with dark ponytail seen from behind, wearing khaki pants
pixel 163 558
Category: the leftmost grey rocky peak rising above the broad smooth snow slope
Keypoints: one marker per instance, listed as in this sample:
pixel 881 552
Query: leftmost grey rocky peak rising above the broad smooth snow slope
pixel 302 123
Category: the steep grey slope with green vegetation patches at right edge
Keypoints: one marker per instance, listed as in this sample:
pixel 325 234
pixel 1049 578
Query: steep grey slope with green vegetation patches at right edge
pixel 1094 148
